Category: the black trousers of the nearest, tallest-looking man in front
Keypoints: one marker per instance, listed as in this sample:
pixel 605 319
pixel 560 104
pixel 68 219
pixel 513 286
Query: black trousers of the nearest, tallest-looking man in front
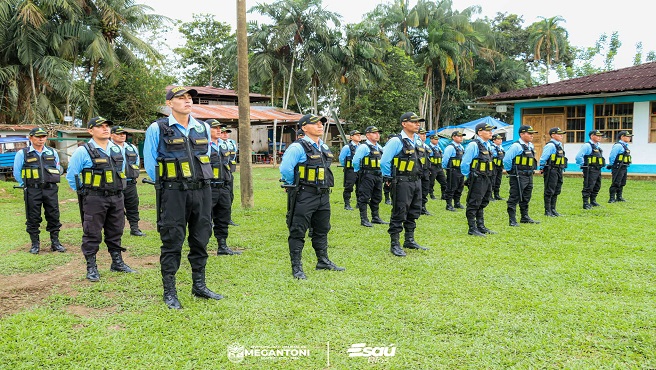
pixel 181 209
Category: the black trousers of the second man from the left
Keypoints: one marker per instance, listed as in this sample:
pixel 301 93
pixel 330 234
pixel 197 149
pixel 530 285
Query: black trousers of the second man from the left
pixel 102 213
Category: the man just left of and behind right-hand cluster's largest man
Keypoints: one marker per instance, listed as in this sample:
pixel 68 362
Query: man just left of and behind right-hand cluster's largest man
pixel 366 164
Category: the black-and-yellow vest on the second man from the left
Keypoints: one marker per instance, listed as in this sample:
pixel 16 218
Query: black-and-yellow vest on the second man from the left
pixel 106 173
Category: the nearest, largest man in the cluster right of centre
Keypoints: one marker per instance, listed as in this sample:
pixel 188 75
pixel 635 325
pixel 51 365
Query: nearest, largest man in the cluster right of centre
pixel 401 168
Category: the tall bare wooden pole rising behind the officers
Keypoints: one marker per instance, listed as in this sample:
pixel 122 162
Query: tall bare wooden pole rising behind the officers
pixel 246 177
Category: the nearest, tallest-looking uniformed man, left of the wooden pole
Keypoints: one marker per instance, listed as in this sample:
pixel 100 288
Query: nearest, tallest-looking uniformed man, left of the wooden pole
pixel 177 155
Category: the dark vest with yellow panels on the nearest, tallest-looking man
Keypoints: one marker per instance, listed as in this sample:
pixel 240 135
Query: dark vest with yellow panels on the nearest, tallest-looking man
pixel 183 158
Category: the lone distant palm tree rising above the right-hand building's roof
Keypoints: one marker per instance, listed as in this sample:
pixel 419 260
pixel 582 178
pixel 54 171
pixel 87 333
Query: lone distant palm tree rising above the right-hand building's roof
pixel 548 39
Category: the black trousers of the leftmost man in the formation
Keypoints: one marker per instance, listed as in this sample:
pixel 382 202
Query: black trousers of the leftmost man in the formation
pixel 49 200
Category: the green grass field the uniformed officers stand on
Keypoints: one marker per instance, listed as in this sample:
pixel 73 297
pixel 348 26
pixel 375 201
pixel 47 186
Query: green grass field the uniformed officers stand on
pixel 573 292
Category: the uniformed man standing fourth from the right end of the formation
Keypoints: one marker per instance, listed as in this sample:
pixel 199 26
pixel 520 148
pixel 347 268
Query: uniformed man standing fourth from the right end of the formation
pixel 520 162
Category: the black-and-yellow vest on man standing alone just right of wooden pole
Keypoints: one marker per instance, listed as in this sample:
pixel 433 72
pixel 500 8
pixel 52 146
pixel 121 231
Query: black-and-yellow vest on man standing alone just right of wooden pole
pixel 315 171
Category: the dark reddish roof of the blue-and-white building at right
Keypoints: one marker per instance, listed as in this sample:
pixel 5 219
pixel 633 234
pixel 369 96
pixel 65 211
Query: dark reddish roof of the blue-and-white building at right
pixel 636 78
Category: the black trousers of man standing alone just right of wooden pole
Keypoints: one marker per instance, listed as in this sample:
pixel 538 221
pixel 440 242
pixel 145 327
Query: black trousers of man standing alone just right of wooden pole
pixel 311 210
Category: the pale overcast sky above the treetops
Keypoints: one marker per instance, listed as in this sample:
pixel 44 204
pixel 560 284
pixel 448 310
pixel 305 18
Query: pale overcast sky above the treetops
pixel 584 20
